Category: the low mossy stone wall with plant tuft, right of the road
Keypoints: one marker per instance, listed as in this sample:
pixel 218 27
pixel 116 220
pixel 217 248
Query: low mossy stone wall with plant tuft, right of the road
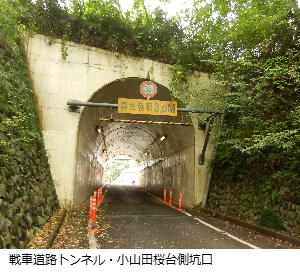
pixel 244 200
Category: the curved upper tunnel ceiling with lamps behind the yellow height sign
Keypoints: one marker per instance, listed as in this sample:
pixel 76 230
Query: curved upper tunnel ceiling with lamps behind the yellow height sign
pixel 138 141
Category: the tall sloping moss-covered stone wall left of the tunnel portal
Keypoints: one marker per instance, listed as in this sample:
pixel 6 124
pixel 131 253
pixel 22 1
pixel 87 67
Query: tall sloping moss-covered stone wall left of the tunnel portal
pixel 27 193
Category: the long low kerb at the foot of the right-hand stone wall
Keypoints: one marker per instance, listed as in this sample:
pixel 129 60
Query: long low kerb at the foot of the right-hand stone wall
pixel 264 230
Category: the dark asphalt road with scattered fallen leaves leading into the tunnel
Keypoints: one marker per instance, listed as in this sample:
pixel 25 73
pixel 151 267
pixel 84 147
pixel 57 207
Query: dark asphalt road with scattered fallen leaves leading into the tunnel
pixel 130 218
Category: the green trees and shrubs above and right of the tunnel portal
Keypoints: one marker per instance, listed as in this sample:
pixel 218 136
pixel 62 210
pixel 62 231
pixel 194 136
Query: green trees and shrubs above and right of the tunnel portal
pixel 251 46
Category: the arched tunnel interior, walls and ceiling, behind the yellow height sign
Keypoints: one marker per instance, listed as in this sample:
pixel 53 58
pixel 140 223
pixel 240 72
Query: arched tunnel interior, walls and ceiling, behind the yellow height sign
pixel 165 153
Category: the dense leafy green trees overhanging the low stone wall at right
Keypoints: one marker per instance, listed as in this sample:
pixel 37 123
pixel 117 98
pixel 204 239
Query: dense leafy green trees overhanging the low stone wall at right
pixel 260 138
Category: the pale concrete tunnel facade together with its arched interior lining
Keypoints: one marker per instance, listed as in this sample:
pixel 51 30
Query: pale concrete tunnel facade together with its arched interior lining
pixel 76 150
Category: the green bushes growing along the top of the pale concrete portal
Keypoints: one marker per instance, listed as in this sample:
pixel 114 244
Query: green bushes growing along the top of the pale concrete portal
pixel 100 23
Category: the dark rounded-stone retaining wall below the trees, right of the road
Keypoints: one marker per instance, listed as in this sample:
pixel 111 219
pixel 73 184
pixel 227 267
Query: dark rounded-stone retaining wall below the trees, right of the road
pixel 246 203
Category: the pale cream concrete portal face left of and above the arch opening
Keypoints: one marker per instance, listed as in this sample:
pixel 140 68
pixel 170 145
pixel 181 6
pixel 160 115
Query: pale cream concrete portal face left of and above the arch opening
pixel 55 81
